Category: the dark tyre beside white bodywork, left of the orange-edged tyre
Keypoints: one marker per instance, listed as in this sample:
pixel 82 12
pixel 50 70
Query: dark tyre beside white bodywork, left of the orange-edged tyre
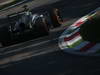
pixel 42 27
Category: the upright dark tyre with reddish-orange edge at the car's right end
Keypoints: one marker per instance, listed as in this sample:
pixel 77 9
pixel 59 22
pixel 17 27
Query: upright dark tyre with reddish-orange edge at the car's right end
pixel 55 17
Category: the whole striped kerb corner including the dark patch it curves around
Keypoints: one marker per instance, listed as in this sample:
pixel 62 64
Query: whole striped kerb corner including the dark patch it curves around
pixel 83 36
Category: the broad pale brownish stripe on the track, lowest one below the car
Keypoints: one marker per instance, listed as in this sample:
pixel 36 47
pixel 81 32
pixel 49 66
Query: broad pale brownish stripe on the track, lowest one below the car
pixel 22 56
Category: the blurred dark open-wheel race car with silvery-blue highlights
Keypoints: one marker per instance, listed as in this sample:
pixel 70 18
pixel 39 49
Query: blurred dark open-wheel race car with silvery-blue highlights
pixel 24 25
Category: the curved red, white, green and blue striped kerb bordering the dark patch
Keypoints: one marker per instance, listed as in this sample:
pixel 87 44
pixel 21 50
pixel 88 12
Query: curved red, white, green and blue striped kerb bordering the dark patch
pixel 72 41
